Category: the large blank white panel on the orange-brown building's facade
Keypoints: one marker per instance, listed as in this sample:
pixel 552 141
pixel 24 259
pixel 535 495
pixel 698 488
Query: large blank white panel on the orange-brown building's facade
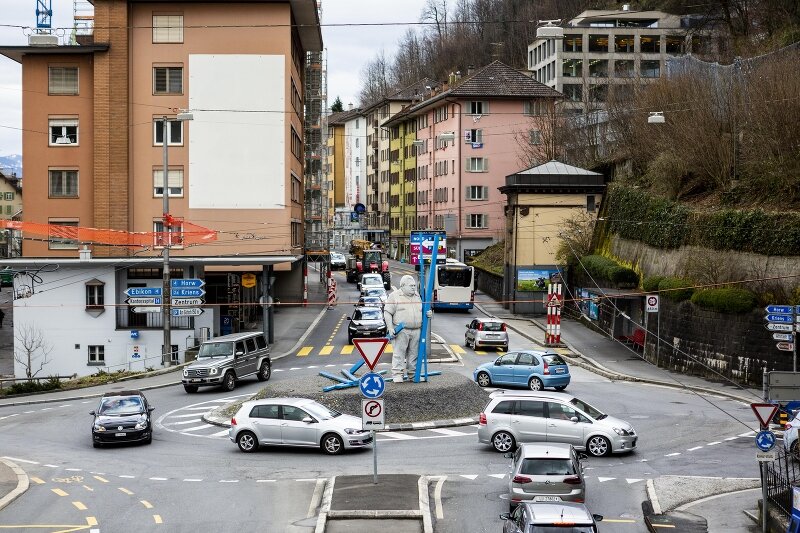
pixel 237 138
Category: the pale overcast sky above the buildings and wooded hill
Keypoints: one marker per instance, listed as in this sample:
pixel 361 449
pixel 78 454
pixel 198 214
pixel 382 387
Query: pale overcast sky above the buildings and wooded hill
pixel 348 48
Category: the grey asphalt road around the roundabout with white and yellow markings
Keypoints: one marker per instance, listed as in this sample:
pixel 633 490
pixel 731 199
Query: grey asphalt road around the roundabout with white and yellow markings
pixel 193 478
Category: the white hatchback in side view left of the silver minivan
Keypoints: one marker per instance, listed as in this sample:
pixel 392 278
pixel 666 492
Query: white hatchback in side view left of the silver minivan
pixel 295 422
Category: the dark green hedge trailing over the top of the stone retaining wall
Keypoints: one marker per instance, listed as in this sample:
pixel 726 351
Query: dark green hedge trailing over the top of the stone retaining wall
pixel 636 214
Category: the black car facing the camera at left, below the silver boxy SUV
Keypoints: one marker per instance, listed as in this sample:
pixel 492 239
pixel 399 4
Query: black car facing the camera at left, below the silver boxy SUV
pixel 123 416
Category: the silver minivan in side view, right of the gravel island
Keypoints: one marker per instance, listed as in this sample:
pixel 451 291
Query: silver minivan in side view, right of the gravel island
pixel 516 417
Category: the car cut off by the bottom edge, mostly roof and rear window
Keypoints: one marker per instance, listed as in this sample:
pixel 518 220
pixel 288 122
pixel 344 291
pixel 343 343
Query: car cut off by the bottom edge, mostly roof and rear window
pixel 565 517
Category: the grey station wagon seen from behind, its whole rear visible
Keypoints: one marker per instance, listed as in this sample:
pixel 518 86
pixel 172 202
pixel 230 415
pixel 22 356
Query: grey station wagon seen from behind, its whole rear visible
pixel 550 472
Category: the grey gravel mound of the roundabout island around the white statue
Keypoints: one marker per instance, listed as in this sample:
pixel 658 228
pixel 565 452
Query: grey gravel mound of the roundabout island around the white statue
pixel 443 397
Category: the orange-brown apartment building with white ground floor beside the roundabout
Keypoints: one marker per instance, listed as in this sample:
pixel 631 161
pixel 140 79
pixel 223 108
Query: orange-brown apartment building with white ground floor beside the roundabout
pixel 96 117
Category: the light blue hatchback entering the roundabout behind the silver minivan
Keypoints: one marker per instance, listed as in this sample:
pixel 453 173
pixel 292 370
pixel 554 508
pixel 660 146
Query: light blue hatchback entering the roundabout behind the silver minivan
pixel 527 368
